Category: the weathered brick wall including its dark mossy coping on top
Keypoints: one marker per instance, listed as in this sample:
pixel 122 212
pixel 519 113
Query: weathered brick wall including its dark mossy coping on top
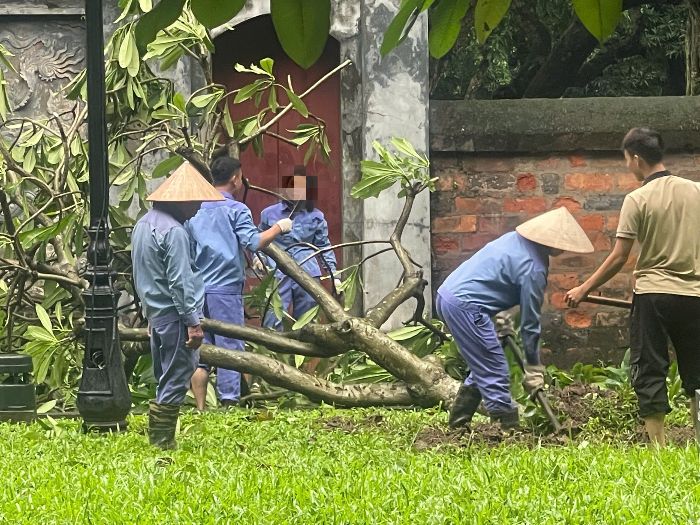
pixel 483 194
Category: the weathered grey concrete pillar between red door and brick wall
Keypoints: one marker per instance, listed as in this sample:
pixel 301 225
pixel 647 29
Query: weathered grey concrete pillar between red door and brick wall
pixel 395 98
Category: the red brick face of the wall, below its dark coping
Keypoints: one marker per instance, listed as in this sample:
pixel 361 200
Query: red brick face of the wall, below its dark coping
pixel 480 197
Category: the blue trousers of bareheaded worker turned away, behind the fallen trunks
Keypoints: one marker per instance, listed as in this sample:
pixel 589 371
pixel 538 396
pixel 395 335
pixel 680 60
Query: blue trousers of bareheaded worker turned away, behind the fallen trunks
pixel 226 306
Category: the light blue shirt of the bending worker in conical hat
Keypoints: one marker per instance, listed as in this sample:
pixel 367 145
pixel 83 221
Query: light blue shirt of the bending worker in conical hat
pixel 507 272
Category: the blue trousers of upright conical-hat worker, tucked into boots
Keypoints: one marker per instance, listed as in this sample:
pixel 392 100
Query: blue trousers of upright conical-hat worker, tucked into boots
pixel 173 362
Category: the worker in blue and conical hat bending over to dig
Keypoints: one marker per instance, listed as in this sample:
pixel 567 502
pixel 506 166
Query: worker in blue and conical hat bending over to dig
pixel 510 271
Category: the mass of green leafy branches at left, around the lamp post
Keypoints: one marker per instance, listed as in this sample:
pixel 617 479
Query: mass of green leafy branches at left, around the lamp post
pixel 152 127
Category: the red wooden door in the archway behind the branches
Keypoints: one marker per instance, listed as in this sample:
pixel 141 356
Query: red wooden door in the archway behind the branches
pixel 248 43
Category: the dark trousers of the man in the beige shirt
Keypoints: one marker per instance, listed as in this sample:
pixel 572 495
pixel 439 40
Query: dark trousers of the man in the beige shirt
pixel 655 319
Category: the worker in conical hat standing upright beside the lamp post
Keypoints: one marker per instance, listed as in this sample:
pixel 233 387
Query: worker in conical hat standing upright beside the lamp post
pixel 171 293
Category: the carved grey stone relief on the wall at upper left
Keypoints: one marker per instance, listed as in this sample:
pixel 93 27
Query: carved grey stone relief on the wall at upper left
pixel 49 52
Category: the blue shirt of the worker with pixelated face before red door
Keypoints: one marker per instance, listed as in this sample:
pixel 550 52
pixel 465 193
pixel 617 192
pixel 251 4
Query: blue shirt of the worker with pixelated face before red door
pixel 309 227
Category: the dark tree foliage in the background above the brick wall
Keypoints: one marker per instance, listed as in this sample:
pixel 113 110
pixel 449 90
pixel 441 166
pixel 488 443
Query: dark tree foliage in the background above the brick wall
pixel 642 57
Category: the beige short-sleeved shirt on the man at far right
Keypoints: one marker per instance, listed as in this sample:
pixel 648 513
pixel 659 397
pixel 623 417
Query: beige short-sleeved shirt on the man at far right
pixel 665 216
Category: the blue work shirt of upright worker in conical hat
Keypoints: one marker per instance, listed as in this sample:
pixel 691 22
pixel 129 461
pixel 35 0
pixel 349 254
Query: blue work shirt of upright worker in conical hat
pixel 166 279
